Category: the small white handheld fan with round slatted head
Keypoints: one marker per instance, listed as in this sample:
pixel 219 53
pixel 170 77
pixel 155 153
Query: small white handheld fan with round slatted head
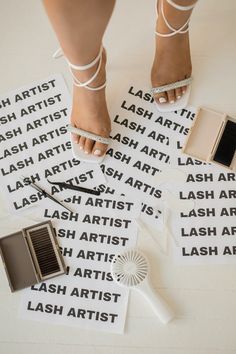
pixel 130 269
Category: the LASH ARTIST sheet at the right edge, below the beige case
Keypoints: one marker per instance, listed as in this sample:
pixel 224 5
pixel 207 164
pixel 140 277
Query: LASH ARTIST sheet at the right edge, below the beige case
pixel 207 232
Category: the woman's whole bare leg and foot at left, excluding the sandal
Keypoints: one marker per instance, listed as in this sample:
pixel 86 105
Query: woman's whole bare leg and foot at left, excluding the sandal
pixel 79 26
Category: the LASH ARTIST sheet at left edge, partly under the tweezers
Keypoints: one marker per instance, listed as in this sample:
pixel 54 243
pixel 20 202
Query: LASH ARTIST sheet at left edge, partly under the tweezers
pixel 35 146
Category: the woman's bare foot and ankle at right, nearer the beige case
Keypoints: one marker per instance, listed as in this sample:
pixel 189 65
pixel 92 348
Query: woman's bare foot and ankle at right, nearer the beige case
pixel 172 61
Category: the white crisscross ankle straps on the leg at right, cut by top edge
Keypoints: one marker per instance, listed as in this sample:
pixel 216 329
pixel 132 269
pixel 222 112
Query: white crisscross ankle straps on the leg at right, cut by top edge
pixel 174 31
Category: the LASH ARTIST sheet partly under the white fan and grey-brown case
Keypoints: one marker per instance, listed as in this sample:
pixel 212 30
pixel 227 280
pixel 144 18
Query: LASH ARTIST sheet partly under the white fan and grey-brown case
pixel 86 296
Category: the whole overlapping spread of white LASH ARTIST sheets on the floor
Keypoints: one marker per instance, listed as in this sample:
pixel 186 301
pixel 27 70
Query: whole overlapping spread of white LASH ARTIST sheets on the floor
pixel 35 145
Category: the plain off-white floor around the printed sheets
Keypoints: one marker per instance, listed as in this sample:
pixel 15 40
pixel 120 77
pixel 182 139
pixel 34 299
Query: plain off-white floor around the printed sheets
pixel 204 296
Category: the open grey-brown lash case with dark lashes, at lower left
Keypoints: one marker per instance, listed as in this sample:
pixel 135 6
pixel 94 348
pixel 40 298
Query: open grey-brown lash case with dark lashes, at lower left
pixel 31 255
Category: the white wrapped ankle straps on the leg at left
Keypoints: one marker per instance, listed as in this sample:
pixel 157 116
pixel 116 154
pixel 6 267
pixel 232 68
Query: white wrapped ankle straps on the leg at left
pixel 76 81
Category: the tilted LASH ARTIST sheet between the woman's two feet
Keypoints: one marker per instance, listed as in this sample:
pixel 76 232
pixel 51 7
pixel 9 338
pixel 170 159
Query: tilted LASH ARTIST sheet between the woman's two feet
pixel 141 147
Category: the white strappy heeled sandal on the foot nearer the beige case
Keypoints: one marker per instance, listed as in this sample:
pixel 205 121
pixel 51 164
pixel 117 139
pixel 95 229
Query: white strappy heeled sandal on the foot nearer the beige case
pixel 183 101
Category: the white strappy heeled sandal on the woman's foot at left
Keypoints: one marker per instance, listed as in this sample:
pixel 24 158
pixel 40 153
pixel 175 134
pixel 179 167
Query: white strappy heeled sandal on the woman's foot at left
pixel 77 152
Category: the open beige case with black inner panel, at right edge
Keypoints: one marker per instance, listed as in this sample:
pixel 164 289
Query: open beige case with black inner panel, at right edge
pixel 212 138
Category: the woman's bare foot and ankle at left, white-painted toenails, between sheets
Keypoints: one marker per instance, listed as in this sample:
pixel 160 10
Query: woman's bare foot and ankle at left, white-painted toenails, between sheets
pixel 89 110
